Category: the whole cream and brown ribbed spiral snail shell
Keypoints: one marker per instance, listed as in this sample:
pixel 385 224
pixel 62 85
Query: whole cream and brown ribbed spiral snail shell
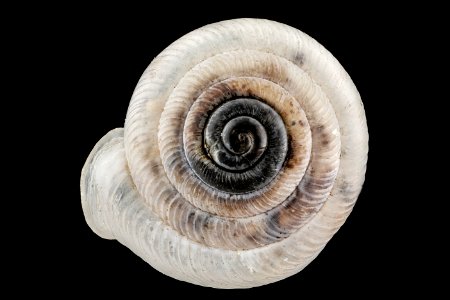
pixel 244 150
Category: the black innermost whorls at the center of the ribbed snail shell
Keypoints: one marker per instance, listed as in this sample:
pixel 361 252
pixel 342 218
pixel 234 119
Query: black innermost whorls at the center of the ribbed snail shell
pixel 245 143
